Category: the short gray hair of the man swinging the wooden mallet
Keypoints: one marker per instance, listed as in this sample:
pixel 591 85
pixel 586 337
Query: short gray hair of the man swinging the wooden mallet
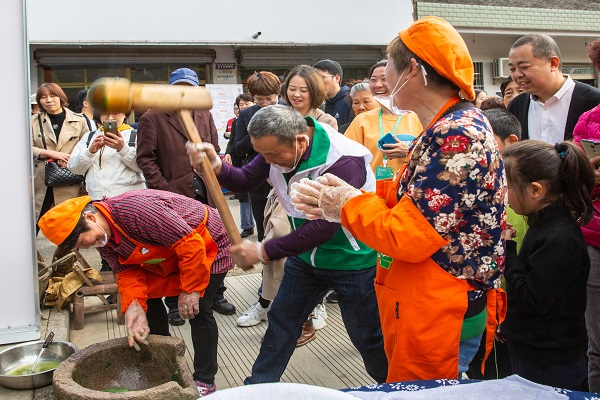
pixel 277 120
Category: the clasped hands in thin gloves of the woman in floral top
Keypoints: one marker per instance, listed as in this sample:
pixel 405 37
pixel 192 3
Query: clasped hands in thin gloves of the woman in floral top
pixel 322 198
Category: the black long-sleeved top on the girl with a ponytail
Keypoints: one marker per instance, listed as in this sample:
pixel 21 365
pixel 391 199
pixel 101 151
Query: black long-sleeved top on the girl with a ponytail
pixel 546 288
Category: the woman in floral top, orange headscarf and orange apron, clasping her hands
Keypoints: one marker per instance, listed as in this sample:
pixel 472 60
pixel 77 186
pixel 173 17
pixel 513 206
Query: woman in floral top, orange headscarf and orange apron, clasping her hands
pixel 439 232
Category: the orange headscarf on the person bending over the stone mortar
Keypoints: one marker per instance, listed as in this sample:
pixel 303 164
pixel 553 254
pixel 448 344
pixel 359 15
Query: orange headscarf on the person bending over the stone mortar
pixel 58 223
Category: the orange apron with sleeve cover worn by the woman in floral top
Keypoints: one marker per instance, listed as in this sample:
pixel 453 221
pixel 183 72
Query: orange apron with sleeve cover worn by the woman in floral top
pixel 421 306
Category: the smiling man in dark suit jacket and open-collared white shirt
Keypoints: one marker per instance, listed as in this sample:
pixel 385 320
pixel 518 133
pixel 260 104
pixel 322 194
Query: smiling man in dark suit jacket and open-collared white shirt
pixel 552 103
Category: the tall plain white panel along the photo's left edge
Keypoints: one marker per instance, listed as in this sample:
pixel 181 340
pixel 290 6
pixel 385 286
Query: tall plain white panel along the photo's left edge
pixel 19 312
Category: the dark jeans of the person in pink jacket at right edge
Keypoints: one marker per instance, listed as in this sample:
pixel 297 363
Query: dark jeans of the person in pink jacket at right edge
pixel 592 319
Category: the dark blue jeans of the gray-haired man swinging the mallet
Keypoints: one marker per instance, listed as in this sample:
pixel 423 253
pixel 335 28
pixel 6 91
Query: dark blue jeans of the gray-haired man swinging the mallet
pixel 302 288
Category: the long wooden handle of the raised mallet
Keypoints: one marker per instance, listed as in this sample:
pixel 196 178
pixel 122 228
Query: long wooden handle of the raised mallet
pixel 211 181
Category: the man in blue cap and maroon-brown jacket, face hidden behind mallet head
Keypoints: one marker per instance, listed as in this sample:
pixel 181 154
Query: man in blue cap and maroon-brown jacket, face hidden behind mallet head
pixel 162 156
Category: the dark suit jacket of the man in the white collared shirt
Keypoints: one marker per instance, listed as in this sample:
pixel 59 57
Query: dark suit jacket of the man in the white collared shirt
pixel 585 97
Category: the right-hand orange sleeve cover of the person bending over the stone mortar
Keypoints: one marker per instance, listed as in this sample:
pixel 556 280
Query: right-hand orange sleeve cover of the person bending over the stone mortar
pixel 194 265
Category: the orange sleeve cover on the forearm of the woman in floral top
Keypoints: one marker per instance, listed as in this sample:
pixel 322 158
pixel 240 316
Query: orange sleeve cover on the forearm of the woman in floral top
pixel 401 232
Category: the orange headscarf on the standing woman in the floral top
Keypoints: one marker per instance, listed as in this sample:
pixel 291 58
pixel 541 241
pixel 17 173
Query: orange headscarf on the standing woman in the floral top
pixel 436 42
